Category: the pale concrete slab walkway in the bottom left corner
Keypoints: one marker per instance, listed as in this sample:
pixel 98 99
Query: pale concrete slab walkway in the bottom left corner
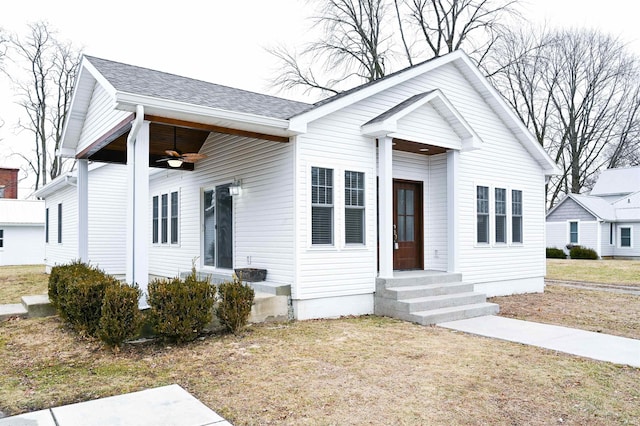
pixel 165 406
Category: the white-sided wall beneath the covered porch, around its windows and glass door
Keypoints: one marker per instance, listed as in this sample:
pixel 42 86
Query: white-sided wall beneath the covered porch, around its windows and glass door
pixel 262 214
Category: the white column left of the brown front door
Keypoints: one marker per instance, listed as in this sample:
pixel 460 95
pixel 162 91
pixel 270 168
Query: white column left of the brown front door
pixel 385 205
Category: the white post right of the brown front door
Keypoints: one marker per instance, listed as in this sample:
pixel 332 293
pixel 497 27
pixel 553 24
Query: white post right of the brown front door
pixel 453 159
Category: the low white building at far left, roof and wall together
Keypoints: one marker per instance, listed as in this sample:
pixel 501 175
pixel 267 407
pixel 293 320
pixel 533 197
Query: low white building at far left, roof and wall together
pixel 22 227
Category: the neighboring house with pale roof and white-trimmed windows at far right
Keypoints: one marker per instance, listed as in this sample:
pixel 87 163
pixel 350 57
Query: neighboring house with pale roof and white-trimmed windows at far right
pixel 607 220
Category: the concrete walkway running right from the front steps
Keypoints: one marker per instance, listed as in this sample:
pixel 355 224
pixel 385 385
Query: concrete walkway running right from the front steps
pixel 603 347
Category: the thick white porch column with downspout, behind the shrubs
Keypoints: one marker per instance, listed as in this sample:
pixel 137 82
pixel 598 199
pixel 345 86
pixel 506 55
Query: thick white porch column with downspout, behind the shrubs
pixel 138 210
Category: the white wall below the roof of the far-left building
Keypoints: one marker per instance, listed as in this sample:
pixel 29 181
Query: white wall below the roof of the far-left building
pixel 22 245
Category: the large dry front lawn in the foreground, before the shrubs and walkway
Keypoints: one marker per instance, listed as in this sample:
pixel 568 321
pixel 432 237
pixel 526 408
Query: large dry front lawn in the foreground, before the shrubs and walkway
pixel 367 370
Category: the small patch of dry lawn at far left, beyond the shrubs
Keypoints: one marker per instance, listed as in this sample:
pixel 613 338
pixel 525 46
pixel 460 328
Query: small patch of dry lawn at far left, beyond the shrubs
pixel 18 281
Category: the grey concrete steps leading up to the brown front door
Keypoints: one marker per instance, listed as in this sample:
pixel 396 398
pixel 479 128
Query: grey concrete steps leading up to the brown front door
pixel 429 298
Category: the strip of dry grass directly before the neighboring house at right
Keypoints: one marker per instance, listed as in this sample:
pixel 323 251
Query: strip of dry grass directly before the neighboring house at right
pixel 625 272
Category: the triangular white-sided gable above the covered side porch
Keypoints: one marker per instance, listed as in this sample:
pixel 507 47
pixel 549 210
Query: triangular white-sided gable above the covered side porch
pixel 101 118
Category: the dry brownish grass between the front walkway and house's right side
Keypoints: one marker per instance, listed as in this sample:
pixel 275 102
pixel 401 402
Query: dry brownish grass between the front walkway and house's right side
pixel 590 310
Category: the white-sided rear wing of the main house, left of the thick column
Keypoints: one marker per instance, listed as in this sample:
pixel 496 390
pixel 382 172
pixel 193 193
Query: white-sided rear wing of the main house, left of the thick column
pixel 107 218
